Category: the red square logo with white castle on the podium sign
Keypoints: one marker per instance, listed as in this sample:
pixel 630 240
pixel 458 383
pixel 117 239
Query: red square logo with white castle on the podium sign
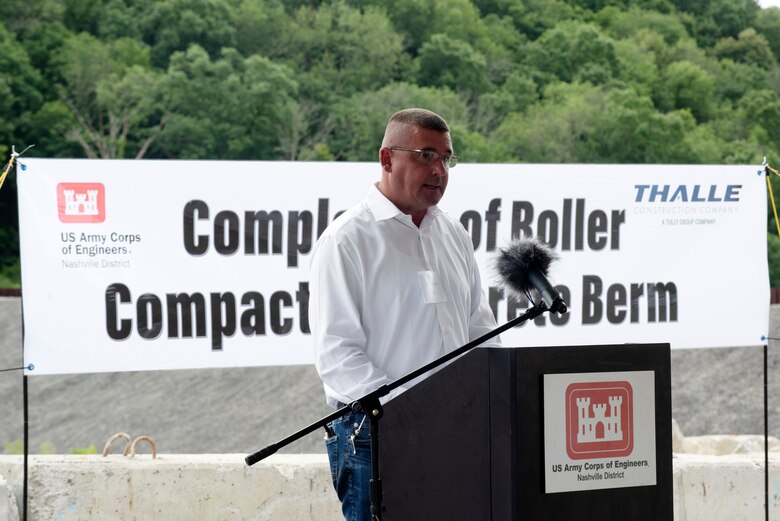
pixel 599 420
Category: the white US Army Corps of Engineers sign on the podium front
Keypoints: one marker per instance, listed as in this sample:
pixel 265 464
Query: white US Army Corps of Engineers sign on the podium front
pixel 599 430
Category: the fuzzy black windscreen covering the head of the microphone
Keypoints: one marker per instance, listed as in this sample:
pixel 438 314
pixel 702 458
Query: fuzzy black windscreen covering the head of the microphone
pixel 516 261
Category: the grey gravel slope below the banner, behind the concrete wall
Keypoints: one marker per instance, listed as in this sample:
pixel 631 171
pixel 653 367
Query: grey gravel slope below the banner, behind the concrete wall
pixel 714 391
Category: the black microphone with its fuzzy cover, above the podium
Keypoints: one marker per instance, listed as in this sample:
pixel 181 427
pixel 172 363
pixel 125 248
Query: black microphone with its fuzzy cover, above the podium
pixel 523 266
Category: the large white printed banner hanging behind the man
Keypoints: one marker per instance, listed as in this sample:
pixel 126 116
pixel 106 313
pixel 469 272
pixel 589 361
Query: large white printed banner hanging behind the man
pixel 142 265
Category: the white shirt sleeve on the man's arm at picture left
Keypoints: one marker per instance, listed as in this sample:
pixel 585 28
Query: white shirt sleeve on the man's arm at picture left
pixel 339 339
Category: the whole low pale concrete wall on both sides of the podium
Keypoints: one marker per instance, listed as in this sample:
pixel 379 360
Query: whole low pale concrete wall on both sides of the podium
pixel 297 488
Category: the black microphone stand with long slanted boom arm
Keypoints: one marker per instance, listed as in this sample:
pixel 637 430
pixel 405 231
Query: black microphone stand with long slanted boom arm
pixel 370 405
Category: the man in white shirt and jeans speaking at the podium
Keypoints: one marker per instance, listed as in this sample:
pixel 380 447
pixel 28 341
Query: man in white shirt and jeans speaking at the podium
pixel 394 285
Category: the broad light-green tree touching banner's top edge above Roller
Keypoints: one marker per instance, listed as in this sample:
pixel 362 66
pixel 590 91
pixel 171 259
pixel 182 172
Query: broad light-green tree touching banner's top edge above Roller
pixel 593 124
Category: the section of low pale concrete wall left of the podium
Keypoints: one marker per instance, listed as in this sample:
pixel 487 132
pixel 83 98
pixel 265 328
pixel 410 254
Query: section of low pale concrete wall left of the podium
pixel 174 488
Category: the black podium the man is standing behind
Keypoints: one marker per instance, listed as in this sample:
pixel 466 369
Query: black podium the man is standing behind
pixel 468 443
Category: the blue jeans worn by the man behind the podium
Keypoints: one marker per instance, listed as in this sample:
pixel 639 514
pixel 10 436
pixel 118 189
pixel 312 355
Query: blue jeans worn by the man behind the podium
pixel 350 465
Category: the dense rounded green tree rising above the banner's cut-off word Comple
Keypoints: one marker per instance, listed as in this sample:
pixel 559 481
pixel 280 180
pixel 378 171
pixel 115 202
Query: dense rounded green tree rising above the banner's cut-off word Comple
pixel 232 107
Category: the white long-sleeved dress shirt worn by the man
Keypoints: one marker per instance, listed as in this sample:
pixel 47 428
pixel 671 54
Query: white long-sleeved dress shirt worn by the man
pixel 388 297
